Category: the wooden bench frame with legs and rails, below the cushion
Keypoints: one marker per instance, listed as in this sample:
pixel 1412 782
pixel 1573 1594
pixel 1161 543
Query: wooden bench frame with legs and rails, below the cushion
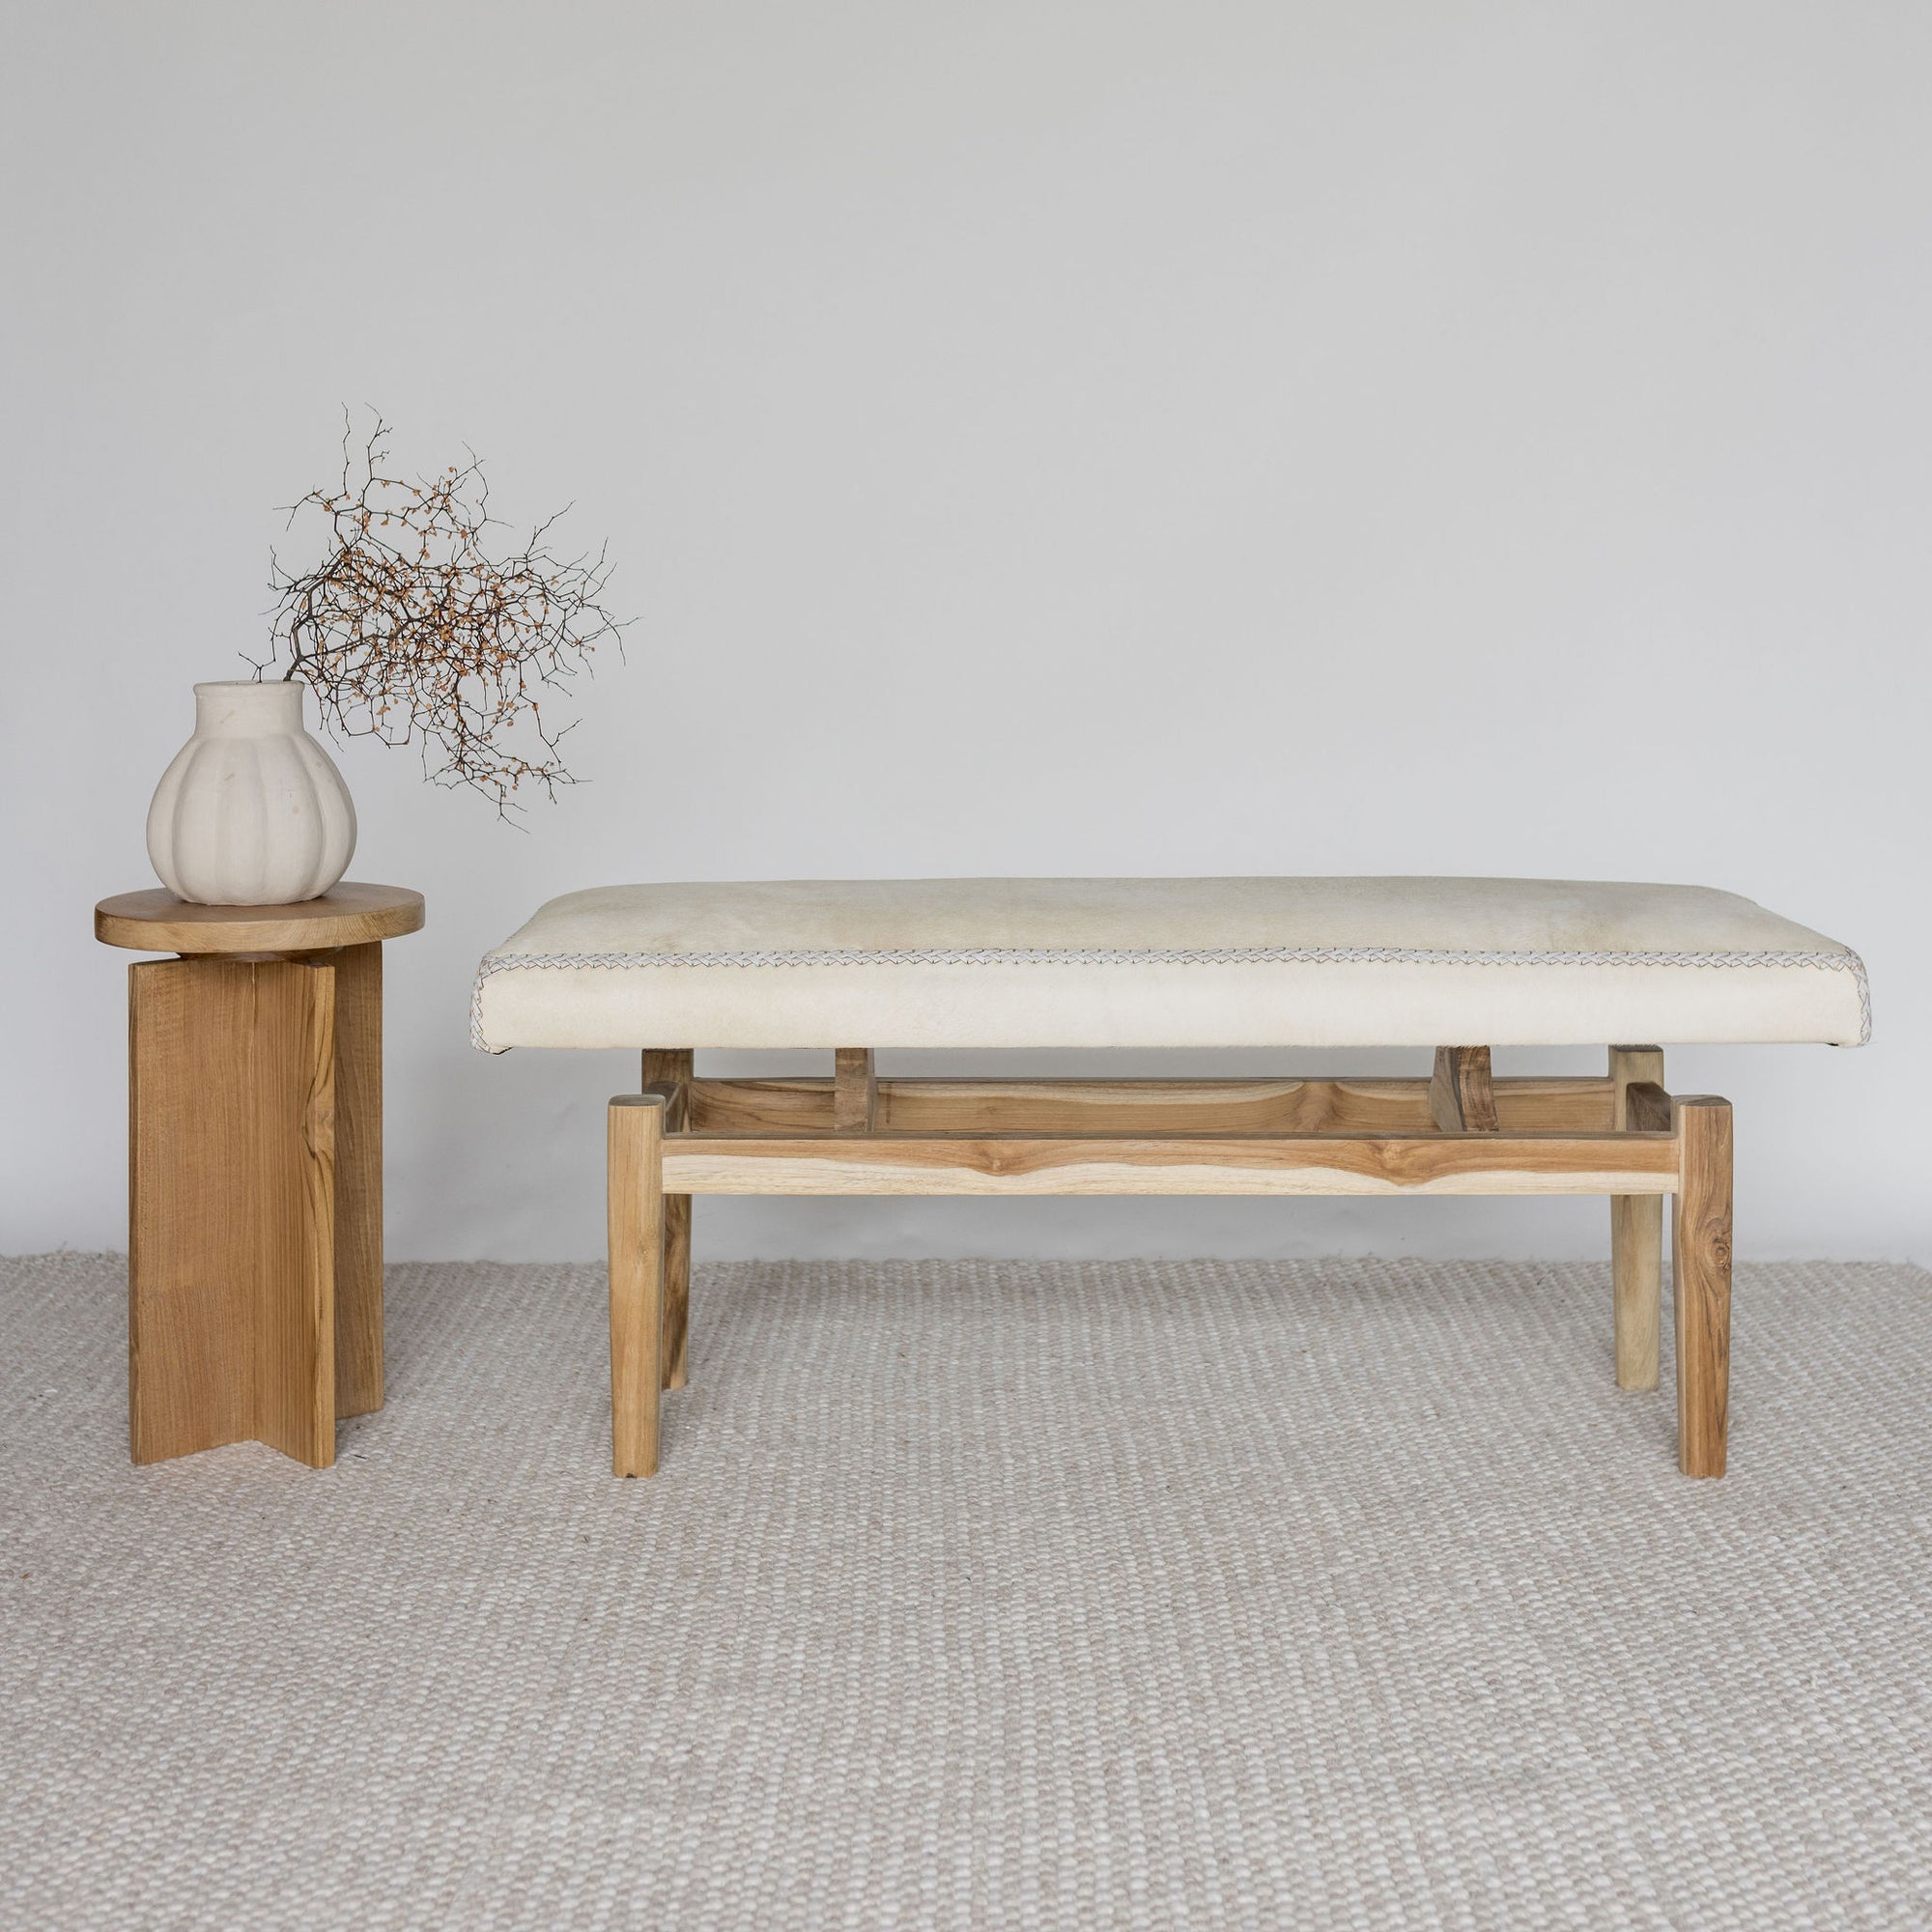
pixel 1456 1133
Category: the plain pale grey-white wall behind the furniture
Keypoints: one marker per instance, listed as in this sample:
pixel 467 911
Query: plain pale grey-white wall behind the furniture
pixel 1037 438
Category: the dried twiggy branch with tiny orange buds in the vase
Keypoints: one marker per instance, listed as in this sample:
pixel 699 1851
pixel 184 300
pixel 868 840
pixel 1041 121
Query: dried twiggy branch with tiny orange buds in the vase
pixel 414 633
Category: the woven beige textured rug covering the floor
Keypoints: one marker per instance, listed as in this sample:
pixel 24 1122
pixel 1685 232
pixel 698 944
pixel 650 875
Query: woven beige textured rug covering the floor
pixel 986 1595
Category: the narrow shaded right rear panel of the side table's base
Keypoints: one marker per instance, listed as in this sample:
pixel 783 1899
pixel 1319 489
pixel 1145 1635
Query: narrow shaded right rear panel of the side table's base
pixel 358 1179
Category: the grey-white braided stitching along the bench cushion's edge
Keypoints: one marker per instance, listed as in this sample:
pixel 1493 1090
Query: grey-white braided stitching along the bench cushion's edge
pixel 1156 957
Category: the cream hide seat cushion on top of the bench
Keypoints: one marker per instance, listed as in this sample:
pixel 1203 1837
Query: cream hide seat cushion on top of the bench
pixel 1162 963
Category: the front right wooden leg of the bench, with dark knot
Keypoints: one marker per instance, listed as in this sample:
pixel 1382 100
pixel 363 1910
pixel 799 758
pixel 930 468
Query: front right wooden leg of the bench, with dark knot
pixel 1701 1284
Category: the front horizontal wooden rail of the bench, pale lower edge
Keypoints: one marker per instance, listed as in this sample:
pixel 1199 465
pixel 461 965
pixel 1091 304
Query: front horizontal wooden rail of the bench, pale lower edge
pixel 1021 1164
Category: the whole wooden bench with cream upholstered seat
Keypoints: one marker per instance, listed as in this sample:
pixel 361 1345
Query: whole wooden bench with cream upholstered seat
pixel 1452 965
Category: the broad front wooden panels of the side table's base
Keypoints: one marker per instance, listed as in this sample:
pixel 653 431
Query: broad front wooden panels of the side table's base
pixel 231 1293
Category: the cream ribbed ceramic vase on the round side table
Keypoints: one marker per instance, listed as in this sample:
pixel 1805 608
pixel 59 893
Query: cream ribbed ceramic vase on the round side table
pixel 252 812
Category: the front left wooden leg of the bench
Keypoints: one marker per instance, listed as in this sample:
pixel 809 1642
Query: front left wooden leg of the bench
pixel 637 1220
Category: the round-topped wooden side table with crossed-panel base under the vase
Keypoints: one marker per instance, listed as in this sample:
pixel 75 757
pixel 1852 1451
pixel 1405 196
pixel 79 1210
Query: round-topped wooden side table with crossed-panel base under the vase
pixel 254 1168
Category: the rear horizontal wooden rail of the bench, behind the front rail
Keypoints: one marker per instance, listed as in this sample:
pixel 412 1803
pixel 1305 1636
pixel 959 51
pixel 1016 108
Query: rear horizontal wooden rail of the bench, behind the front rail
pixel 1579 1106
